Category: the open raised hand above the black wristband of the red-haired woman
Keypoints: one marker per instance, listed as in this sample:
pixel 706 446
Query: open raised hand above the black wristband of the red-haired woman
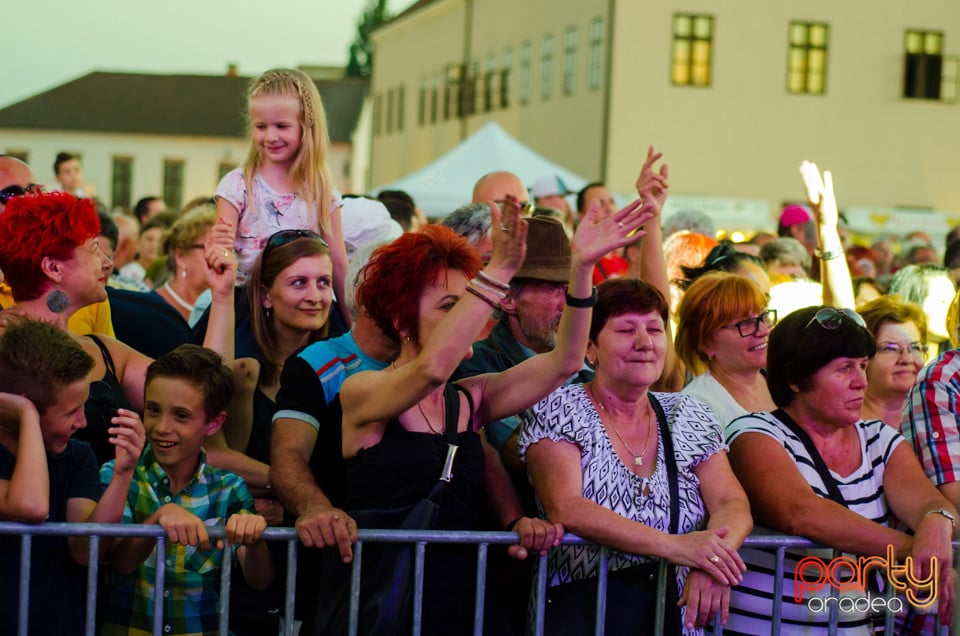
pixel 596 236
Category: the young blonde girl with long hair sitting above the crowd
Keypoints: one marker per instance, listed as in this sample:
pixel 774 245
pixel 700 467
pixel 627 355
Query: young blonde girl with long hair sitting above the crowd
pixel 285 183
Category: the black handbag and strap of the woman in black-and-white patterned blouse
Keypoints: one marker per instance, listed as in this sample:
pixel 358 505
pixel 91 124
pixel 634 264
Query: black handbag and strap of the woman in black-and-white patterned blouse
pixel 631 592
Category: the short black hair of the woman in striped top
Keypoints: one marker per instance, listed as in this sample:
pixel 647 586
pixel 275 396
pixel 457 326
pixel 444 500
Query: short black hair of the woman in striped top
pixel 799 347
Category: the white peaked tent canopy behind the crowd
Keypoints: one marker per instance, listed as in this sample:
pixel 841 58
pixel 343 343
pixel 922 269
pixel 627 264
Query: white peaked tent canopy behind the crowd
pixel 447 183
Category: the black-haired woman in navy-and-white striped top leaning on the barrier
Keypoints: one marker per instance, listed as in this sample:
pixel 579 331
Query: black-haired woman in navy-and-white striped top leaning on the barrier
pixel 815 468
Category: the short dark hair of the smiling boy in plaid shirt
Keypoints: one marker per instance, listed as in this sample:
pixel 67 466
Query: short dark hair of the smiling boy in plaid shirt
pixel 200 367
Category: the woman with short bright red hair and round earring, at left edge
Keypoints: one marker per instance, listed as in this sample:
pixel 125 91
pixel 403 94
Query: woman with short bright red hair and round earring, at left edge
pixel 52 261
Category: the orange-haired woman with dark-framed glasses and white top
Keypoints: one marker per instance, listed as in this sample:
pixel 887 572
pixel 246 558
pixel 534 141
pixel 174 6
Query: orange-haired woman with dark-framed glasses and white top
pixel 722 329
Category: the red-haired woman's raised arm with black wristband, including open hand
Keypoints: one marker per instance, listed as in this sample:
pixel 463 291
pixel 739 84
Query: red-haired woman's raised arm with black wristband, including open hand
pixel 498 395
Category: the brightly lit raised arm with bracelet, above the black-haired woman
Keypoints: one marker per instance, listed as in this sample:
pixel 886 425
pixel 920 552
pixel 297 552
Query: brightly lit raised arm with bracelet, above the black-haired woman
pixel 834 271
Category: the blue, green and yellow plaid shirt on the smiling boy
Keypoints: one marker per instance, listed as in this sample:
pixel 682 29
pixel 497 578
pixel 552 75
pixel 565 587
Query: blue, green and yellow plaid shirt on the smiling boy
pixel 192 577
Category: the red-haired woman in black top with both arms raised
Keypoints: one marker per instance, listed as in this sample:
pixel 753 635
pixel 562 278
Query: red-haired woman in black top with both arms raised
pixel 433 297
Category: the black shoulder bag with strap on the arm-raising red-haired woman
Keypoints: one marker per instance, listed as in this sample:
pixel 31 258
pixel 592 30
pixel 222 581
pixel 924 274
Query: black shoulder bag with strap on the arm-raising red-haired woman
pixel 386 581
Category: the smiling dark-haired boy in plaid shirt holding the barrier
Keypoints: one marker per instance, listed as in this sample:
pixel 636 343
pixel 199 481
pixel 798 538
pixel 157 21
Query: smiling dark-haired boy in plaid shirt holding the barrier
pixel 187 392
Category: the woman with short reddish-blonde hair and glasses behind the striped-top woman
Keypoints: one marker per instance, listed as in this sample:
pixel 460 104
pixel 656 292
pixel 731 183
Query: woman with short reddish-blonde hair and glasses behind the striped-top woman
pixel 900 329
